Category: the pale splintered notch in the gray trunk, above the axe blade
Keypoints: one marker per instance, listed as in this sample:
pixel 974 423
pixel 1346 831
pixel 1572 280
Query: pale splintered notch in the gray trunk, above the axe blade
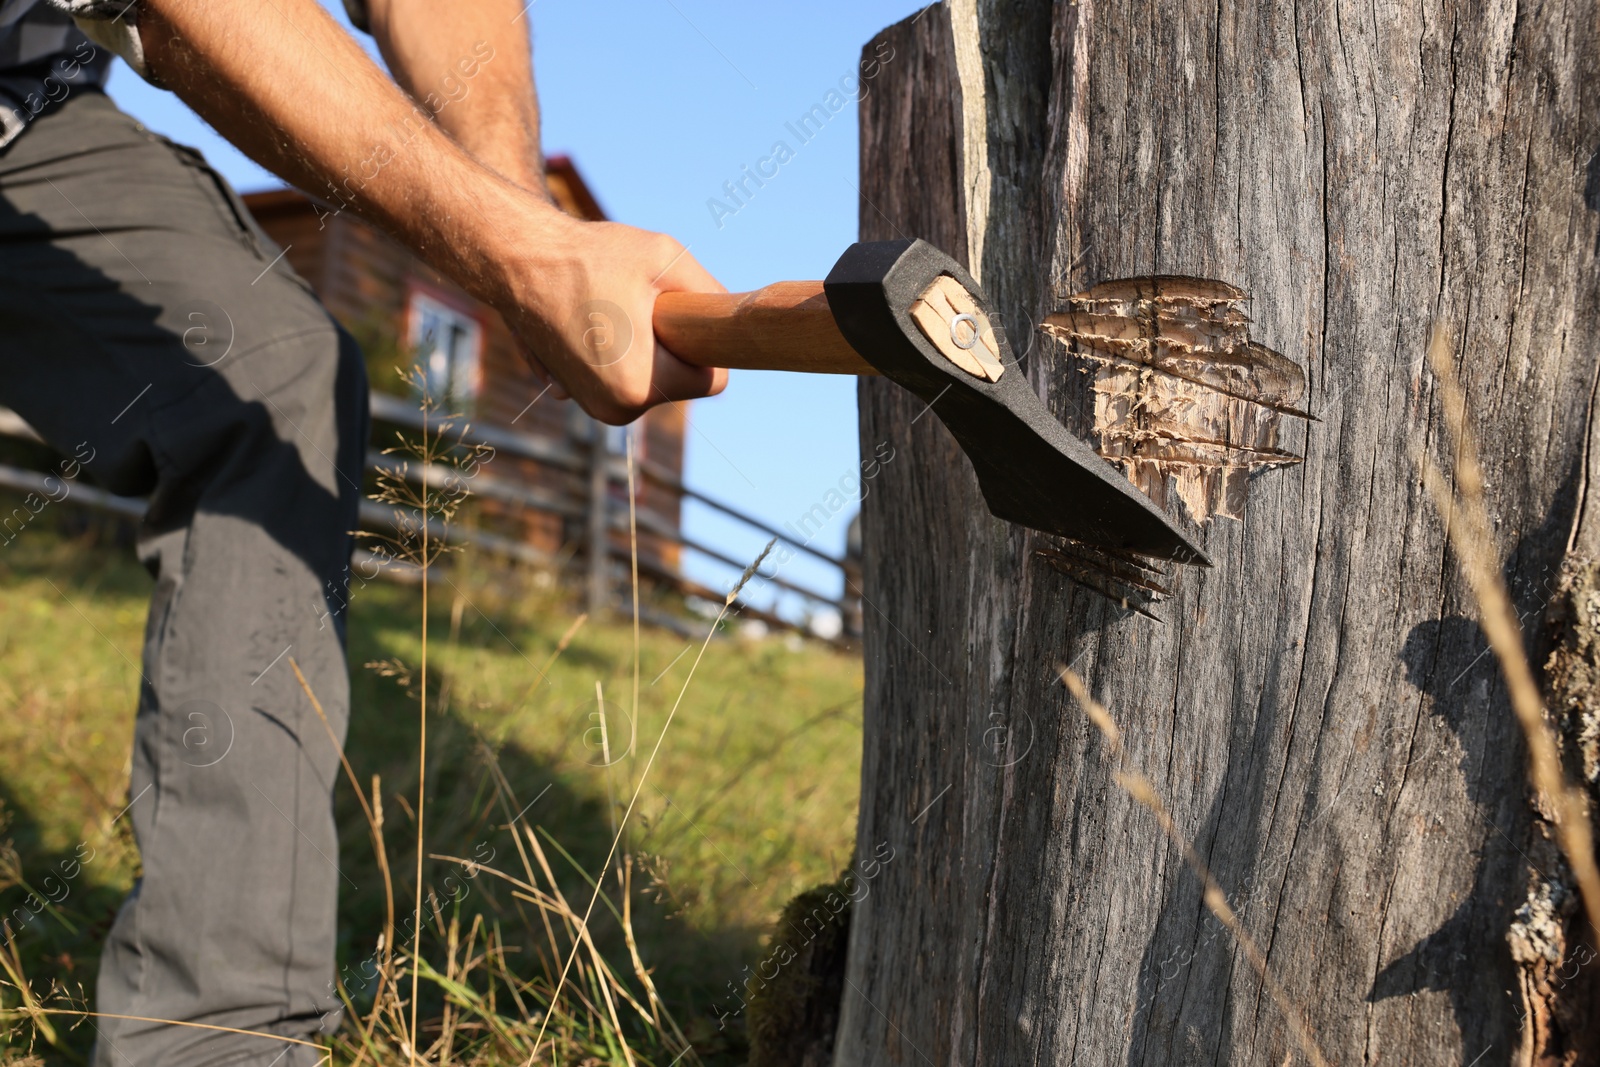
pixel 1185 402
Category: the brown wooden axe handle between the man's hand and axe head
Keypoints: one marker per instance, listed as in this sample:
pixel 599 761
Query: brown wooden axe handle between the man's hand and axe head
pixel 785 327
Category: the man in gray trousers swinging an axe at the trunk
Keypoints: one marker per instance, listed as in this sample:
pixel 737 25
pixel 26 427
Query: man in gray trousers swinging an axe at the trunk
pixel 116 247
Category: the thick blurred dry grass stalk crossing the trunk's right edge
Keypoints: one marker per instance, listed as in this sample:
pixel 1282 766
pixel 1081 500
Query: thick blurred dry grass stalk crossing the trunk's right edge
pixel 1466 521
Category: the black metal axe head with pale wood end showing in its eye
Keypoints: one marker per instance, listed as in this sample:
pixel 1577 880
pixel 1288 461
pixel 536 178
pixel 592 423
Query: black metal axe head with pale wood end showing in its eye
pixel 894 310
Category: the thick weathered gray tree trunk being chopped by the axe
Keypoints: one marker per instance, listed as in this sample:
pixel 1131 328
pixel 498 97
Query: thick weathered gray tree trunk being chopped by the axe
pixel 1318 713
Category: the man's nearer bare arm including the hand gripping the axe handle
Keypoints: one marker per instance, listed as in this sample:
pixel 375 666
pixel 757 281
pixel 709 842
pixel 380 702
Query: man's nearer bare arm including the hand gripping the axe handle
pixel 300 97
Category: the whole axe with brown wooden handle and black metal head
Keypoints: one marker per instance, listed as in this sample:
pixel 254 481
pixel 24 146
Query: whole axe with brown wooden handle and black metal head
pixel 910 313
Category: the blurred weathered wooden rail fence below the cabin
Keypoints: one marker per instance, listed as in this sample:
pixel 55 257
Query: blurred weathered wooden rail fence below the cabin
pixel 596 470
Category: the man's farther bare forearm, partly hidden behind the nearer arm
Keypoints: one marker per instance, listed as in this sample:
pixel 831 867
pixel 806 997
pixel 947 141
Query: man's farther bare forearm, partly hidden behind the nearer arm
pixel 473 70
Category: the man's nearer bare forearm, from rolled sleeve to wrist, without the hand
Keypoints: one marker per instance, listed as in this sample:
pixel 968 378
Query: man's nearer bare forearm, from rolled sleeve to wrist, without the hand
pixel 289 87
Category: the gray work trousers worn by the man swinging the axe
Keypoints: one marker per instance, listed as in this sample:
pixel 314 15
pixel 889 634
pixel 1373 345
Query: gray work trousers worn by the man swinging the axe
pixel 148 329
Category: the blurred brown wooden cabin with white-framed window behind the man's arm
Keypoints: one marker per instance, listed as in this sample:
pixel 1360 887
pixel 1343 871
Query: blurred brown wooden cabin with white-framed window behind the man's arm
pixel 406 314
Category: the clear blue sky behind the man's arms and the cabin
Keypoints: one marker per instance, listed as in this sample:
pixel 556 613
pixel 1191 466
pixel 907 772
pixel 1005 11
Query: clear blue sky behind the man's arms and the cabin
pixel 660 103
